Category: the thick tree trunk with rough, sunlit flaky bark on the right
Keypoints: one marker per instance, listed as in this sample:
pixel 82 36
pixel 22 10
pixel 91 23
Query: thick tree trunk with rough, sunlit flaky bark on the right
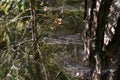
pixel 101 19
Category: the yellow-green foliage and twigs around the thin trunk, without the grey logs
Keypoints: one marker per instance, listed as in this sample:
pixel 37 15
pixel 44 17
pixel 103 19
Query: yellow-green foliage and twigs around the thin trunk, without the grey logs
pixel 16 45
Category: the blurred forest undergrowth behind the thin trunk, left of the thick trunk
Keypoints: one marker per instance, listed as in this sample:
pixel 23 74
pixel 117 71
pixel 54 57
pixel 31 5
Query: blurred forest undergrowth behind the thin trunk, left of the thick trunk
pixel 59 33
